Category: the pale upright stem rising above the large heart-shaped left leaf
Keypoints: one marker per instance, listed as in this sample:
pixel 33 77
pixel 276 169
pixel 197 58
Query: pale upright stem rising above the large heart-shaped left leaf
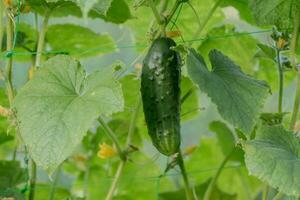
pixel 41 40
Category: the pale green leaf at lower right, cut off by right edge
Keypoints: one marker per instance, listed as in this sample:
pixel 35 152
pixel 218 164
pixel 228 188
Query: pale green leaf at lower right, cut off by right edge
pixel 274 157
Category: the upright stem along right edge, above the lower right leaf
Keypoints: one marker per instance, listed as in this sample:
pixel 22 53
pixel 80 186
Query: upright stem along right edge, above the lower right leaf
pixel 293 62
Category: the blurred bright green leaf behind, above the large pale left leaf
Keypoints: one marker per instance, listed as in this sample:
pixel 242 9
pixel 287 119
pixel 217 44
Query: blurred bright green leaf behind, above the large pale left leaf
pixel 78 41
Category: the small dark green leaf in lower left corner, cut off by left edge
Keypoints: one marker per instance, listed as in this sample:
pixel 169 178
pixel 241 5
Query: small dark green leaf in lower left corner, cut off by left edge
pixel 11 174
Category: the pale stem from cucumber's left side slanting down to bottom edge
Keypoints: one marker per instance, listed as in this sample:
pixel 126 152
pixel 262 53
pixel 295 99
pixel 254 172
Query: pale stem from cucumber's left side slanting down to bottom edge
pixel 122 163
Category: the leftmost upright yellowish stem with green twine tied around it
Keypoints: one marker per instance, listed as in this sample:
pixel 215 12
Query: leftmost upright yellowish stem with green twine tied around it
pixel 9 62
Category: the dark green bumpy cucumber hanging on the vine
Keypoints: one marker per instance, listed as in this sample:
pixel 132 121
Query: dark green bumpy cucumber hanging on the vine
pixel 160 88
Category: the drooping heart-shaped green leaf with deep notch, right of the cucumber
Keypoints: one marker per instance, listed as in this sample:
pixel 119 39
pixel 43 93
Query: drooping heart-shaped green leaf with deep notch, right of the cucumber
pixel 239 97
